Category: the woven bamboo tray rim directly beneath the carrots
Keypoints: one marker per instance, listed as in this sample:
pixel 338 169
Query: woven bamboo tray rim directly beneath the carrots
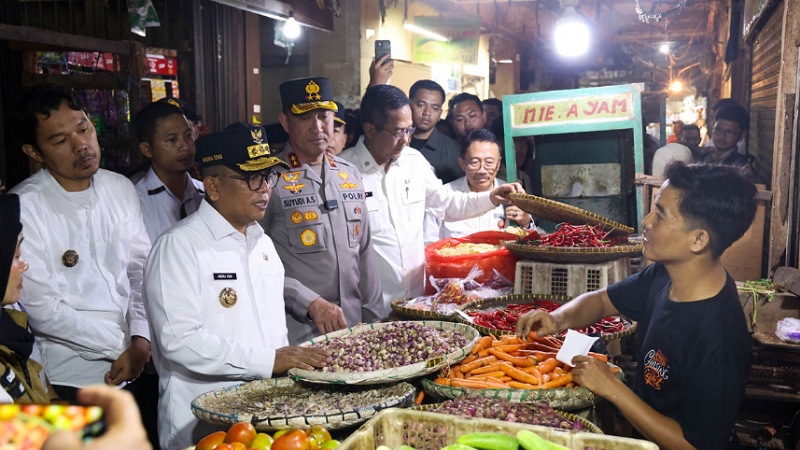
pixel 567 399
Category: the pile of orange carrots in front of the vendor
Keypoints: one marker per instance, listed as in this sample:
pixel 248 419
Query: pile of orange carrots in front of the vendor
pixel 510 362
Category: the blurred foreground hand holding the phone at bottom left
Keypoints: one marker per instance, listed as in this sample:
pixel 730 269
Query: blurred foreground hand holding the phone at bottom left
pixel 124 430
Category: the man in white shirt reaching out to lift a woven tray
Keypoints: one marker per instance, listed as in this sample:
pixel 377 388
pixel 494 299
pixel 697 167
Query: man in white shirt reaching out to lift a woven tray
pixel 399 184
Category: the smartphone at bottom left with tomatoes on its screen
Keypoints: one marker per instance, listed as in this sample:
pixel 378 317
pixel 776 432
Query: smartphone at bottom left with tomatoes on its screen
pixel 27 427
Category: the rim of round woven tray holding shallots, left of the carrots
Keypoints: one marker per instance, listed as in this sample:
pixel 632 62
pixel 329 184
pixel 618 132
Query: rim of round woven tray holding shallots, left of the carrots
pixel 392 374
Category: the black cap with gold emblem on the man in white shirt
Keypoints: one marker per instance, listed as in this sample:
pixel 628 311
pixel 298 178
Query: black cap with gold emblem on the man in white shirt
pixel 243 149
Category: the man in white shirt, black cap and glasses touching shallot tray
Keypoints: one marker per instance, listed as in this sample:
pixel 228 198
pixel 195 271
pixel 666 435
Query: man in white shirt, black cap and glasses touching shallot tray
pixel 214 287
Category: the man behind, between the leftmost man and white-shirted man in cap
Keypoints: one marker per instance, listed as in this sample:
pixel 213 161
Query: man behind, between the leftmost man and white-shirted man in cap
pixel 167 192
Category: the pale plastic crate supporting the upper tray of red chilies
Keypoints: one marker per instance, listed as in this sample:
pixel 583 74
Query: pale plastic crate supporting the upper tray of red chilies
pixel 568 279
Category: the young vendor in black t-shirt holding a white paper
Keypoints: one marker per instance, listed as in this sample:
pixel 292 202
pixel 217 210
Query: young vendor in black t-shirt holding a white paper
pixel 694 345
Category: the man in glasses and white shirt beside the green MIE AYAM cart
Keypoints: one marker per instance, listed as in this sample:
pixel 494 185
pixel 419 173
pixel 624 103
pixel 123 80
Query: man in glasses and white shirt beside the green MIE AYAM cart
pixel 480 161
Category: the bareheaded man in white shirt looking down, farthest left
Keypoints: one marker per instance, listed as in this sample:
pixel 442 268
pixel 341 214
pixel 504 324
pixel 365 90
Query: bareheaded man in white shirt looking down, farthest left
pixel 86 244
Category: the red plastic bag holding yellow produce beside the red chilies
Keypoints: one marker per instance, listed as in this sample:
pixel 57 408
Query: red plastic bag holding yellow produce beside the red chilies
pixel 459 266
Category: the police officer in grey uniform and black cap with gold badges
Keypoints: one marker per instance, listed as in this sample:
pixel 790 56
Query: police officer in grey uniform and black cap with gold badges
pixel 317 217
